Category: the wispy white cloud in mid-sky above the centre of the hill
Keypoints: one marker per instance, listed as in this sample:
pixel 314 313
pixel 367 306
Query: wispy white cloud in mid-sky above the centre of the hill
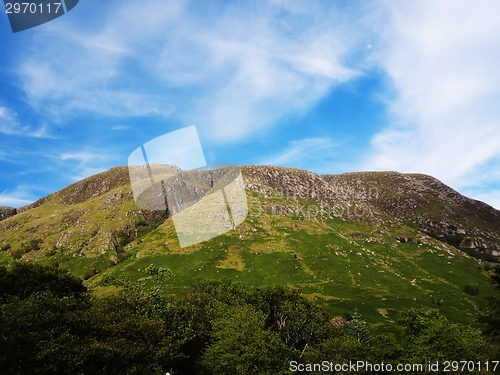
pixel 272 74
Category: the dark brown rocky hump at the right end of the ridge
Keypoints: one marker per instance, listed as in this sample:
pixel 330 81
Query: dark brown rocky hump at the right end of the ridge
pixel 426 202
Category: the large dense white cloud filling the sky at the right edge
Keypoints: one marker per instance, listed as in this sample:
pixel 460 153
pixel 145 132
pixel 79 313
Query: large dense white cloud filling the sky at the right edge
pixel 442 59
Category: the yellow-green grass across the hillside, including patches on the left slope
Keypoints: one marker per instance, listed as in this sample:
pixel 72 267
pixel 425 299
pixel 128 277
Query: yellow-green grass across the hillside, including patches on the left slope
pixel 342 265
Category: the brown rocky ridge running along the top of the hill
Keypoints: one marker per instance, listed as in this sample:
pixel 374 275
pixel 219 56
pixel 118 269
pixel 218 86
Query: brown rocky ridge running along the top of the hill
pixel 414 199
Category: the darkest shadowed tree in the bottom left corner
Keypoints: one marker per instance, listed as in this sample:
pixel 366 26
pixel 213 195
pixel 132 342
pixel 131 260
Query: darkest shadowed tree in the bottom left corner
pixel 41 334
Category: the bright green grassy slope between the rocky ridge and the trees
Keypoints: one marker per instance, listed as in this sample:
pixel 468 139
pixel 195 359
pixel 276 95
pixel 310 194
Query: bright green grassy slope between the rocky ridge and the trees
pixel 340 272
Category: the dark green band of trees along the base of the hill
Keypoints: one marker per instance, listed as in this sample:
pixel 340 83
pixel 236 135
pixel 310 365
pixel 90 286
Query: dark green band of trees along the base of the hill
pixel 49 323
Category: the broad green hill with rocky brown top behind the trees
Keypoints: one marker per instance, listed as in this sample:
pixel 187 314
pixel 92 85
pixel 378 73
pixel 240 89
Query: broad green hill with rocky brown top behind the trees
pixel 376 241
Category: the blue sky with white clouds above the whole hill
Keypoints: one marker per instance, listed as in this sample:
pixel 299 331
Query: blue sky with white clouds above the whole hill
pixel 328 86
